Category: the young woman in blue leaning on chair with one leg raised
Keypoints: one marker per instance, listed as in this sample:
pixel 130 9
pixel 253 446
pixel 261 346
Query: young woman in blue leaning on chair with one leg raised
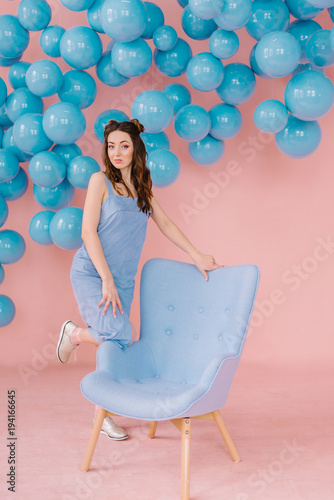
pixel 118 205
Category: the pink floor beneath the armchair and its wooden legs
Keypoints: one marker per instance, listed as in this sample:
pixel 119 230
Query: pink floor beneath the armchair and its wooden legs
pixel 282 423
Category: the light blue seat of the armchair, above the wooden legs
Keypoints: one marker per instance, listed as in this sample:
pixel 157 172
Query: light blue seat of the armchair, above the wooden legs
pixel 147 399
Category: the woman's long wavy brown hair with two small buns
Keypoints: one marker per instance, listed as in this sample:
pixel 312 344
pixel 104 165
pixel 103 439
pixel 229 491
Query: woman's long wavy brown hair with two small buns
pixel 140 173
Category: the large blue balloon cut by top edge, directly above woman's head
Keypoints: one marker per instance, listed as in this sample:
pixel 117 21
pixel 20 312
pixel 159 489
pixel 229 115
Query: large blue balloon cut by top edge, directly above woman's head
pixel 124 20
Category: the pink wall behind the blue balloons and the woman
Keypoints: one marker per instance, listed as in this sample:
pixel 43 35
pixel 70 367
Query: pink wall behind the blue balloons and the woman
pixel 271 210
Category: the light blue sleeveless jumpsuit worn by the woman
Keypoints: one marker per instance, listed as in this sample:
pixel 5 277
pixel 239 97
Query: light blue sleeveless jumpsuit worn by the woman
pixel 122 231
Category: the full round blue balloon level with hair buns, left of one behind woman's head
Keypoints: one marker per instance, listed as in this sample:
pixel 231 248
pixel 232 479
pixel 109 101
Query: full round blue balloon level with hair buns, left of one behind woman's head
pixel 64 123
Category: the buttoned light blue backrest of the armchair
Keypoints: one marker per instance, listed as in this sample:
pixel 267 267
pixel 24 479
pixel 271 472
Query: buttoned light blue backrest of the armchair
pixel 187 320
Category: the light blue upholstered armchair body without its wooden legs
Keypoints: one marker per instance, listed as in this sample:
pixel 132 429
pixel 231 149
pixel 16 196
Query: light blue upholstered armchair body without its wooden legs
pixel 191 339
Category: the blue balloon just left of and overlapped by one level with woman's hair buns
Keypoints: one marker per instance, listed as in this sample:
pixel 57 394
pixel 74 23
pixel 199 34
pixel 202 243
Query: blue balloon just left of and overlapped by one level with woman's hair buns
pixel 29 135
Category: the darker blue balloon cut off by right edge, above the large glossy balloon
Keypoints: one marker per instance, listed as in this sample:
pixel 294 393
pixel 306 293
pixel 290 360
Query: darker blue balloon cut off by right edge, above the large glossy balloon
pixel 318 49
